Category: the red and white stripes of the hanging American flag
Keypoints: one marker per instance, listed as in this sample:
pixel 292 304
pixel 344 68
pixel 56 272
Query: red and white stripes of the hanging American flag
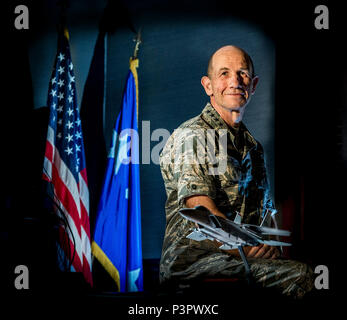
pixel 73 199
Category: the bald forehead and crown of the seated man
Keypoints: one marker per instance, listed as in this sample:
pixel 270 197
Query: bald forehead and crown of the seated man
pixel 230 58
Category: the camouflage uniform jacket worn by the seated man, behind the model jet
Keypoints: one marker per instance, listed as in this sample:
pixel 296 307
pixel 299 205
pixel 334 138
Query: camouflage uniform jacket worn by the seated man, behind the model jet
pixel 204 156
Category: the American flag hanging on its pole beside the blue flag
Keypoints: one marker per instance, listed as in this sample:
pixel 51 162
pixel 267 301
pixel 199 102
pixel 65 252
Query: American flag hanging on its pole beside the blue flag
pixel 64 163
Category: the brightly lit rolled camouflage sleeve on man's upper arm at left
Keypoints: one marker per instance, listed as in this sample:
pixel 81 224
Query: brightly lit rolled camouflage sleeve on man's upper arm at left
pixel 192 170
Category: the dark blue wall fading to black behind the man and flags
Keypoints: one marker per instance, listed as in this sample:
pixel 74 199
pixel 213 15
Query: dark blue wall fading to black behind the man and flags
pixel 303 74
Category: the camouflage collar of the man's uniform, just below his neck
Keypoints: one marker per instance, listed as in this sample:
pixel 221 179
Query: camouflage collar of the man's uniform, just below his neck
pixel 213 118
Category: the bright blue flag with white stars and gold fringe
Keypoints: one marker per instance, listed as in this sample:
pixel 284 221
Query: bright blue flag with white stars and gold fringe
pixel 117 237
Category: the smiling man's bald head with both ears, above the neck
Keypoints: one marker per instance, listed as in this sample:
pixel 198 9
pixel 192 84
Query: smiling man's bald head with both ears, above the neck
pixel 230 83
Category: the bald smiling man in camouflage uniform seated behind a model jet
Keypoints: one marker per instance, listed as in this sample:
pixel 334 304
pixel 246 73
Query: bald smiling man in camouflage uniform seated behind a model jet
pixel 213 160
